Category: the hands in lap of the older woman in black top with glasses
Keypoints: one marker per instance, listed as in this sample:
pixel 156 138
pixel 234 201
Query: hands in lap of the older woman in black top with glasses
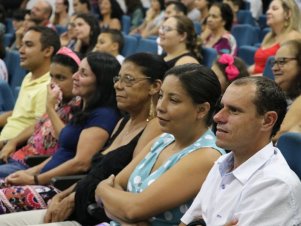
pixel 59 209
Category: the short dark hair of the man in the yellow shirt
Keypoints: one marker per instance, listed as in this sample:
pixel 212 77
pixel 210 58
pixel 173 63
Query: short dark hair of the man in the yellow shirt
pixel 49 38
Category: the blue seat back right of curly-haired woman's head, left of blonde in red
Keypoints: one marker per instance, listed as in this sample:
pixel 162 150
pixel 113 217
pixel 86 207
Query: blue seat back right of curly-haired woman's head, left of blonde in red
pixel 245 34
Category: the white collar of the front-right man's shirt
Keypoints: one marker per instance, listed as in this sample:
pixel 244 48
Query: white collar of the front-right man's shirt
pixel 249 167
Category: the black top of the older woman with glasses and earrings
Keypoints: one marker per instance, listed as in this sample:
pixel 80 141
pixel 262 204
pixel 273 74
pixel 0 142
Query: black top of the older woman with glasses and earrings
pixel 102 167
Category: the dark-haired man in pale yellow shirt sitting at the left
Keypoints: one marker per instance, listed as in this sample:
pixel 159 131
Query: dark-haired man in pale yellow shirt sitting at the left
pixel 39 44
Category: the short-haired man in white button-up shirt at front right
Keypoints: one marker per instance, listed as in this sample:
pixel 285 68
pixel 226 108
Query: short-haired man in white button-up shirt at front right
pixel 253 184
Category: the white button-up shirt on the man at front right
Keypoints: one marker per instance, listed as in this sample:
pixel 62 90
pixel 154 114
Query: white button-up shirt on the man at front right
pixel 263 191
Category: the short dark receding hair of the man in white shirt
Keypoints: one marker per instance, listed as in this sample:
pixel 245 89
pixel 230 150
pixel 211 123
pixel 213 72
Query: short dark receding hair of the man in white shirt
pixel 268 97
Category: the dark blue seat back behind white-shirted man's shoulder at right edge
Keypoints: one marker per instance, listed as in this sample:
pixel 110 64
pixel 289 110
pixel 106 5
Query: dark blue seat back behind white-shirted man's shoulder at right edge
pixel 290 146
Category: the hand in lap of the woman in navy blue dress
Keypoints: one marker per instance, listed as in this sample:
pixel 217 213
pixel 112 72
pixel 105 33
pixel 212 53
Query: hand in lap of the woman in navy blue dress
pixel 21 177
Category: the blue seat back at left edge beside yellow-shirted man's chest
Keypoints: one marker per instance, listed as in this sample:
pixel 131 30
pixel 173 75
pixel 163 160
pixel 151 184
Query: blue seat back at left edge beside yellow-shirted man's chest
pixel 7 100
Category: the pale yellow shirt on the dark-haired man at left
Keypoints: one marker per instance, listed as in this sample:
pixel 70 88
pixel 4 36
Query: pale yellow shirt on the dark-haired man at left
pixel 30 105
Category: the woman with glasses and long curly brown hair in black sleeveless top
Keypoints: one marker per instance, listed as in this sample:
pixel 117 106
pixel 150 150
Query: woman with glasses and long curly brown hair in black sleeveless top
pixel 178 40
